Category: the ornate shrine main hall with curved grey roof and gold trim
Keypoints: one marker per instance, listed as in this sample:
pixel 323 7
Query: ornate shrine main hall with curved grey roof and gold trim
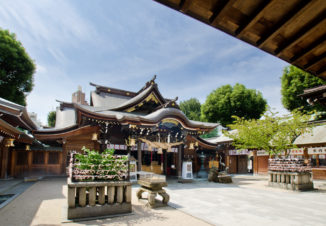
pixel 144 124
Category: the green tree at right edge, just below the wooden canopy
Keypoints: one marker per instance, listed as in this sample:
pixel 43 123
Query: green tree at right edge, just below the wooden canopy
pixel 294 81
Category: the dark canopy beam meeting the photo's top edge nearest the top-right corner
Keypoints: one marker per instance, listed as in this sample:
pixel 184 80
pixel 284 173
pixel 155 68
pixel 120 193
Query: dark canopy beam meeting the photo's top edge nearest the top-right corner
pixel 287 19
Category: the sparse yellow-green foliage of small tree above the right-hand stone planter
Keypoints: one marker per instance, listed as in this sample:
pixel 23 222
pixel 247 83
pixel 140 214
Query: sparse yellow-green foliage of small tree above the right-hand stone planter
pixel 271 133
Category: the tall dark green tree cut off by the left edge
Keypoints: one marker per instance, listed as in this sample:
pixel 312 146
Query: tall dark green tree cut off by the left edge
pixel 16 69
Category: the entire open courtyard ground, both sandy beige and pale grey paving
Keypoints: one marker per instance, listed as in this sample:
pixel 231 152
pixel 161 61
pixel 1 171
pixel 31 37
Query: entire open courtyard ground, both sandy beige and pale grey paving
pixel 245 202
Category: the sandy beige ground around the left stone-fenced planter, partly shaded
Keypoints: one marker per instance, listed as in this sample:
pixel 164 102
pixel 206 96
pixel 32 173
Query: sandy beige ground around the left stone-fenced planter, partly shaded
pixel 44 202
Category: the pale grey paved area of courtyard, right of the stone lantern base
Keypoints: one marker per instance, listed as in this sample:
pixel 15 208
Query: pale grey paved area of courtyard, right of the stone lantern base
pixel 249 201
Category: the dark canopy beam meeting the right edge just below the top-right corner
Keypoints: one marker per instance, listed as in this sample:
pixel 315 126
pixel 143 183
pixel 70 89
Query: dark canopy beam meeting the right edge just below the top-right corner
pixel 304 30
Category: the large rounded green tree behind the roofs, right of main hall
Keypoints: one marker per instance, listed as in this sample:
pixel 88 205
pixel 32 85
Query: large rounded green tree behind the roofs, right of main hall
pixel 226 101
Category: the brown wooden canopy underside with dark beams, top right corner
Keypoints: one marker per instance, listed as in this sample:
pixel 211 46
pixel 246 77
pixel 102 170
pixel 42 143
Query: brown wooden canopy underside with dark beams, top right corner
pixel 292 30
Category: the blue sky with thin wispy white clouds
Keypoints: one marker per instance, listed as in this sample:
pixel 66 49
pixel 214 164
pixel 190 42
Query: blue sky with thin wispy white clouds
pixel 123 43
